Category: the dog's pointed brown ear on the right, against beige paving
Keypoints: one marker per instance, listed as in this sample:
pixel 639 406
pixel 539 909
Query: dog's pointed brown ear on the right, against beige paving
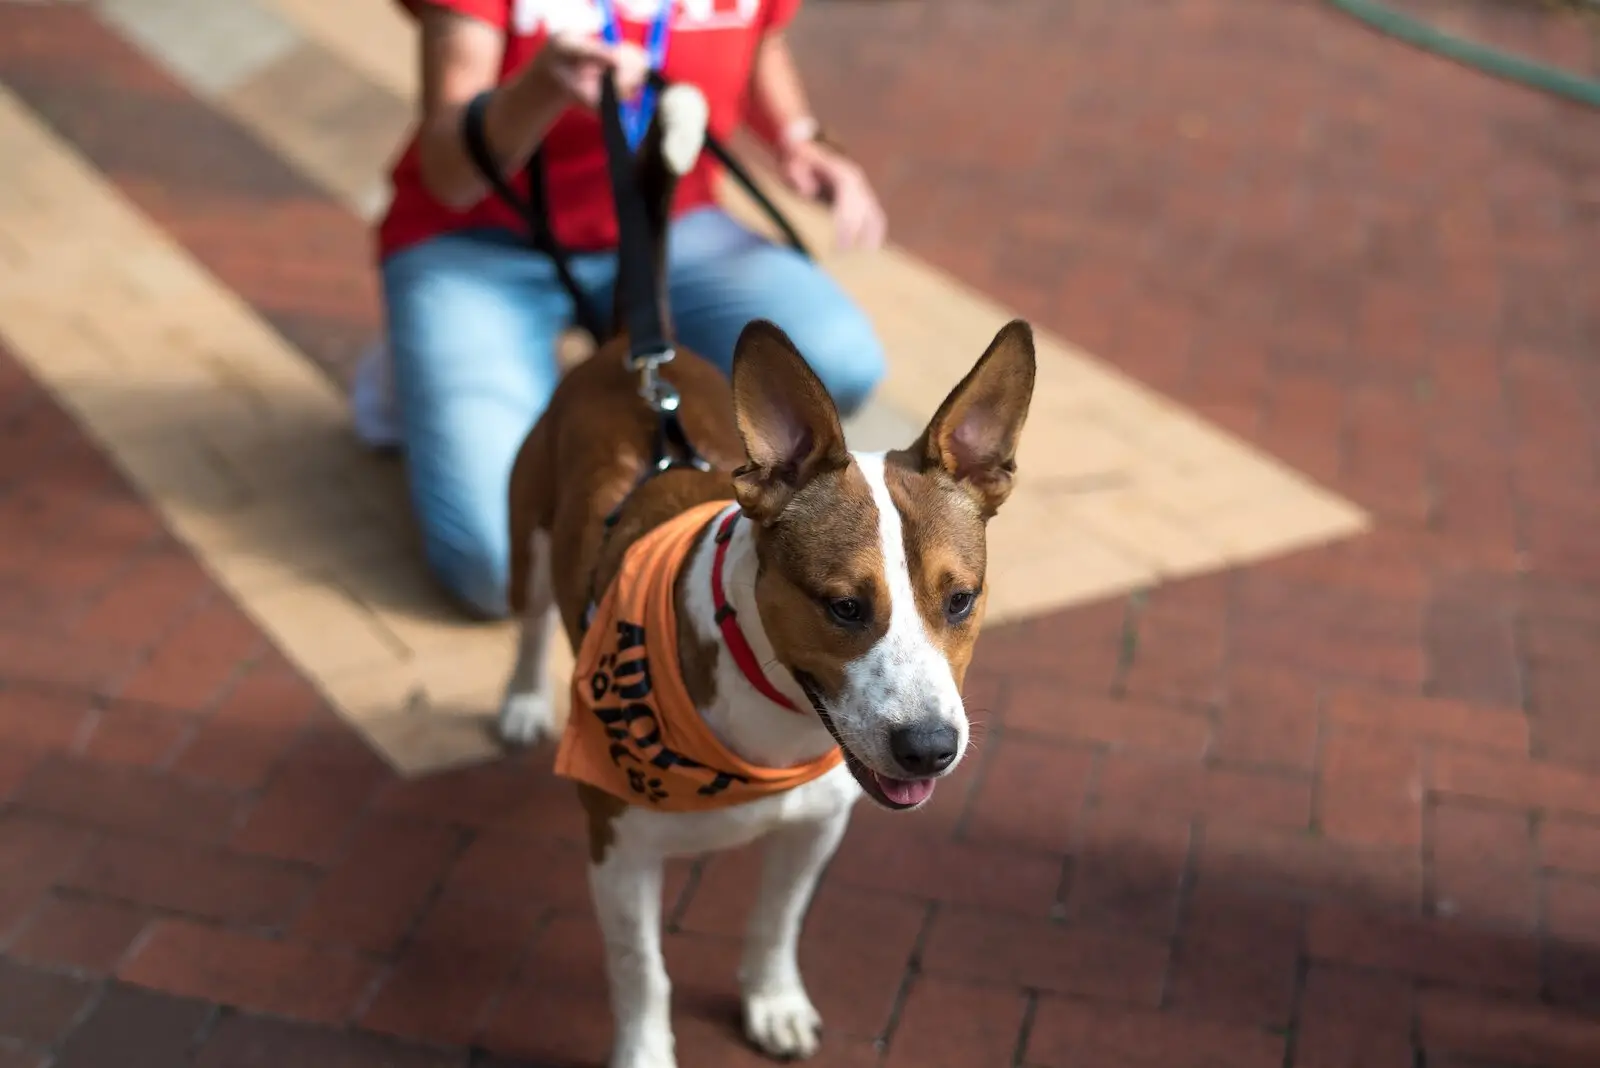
pixel 975 434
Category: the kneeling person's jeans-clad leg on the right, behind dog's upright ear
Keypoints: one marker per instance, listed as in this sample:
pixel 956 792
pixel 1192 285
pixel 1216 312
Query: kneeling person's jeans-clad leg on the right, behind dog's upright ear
pixel 722 276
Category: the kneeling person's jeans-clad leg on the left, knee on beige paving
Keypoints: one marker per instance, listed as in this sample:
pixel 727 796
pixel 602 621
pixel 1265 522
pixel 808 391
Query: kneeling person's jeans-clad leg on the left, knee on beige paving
pixel 473 324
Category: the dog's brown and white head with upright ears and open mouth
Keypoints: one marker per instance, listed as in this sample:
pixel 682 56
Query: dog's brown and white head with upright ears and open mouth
pixel 871 568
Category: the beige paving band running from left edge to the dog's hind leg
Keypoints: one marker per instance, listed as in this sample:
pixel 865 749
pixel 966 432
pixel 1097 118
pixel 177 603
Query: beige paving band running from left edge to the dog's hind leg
pixel 330 573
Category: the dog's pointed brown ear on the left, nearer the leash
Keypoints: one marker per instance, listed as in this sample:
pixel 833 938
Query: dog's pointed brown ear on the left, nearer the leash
pixel 786 418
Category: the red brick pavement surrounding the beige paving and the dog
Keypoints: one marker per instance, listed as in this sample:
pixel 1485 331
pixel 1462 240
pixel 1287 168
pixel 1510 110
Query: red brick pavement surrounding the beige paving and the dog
pixel 1334 811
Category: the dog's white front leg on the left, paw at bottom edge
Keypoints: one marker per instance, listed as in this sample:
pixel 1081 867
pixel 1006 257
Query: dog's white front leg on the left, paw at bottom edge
pixel 626 888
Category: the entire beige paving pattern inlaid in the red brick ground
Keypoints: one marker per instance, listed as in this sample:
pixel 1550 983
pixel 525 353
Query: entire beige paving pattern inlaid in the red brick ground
pixel 246 447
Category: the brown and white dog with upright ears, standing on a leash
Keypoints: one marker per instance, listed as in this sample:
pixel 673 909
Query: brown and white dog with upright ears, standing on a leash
pixel 858 583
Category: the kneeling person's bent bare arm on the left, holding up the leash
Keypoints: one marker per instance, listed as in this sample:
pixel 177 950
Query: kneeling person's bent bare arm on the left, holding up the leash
pixel 462 58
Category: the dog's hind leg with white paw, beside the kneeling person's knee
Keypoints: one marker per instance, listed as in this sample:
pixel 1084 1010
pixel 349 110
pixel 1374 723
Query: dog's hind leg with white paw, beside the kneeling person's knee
pixel 529 711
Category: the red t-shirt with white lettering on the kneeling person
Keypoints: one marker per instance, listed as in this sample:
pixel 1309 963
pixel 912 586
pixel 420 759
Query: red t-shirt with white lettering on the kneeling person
pixel 711 44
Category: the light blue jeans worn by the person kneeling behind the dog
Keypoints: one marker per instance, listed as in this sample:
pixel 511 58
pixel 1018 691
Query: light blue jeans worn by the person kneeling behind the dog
pixel 474 321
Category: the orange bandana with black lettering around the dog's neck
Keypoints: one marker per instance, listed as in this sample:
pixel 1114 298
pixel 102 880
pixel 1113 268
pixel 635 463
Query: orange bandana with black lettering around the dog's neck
pixel 634 731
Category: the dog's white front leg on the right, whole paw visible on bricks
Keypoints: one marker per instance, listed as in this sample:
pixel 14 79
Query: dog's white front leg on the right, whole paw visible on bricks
pixel 778 1014
